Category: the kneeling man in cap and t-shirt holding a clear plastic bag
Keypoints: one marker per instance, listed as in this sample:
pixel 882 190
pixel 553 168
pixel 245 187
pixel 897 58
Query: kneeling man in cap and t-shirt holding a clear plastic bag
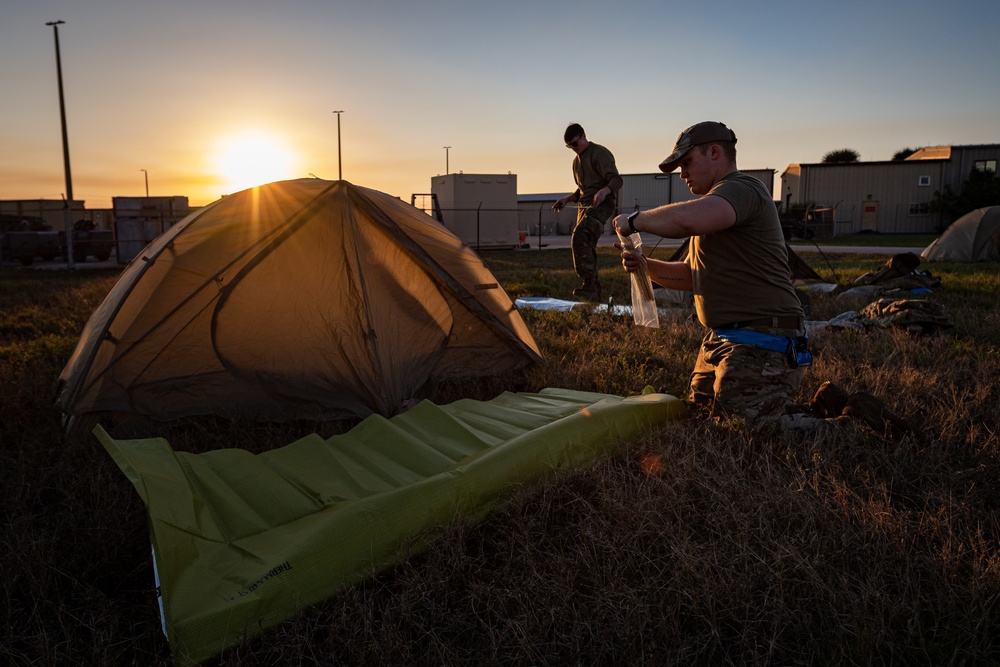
pixel 737 269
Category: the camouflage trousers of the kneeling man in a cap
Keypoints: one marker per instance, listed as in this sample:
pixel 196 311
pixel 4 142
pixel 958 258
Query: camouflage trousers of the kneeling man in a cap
pixel 735 380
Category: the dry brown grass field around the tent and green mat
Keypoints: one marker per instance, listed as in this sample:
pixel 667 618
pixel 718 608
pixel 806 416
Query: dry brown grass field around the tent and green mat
pixel 698 544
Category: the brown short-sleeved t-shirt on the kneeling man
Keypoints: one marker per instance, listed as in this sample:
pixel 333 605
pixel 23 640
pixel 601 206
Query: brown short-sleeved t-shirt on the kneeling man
pixel 741 273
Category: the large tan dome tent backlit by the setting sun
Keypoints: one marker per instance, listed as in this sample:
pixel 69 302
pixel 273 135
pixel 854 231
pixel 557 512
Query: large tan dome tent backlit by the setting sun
pixel 304 299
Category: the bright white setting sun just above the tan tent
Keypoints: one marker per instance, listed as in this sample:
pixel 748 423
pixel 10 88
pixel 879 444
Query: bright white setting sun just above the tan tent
pixel 251 159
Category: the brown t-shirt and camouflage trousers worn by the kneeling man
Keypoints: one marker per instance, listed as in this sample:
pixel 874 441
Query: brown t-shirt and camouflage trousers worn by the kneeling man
pixel 741 280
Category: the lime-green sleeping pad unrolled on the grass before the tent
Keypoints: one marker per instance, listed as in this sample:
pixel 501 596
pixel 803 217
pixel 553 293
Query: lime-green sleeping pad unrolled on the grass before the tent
pixel 244 541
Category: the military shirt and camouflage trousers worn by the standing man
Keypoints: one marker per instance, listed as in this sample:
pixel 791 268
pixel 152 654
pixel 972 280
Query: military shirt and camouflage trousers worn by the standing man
pixel 593 170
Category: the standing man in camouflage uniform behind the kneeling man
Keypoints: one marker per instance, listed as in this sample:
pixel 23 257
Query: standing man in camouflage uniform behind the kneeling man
pixel 597 185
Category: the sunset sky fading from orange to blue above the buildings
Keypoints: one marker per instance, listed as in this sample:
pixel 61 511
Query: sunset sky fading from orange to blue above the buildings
pixel 212 96
